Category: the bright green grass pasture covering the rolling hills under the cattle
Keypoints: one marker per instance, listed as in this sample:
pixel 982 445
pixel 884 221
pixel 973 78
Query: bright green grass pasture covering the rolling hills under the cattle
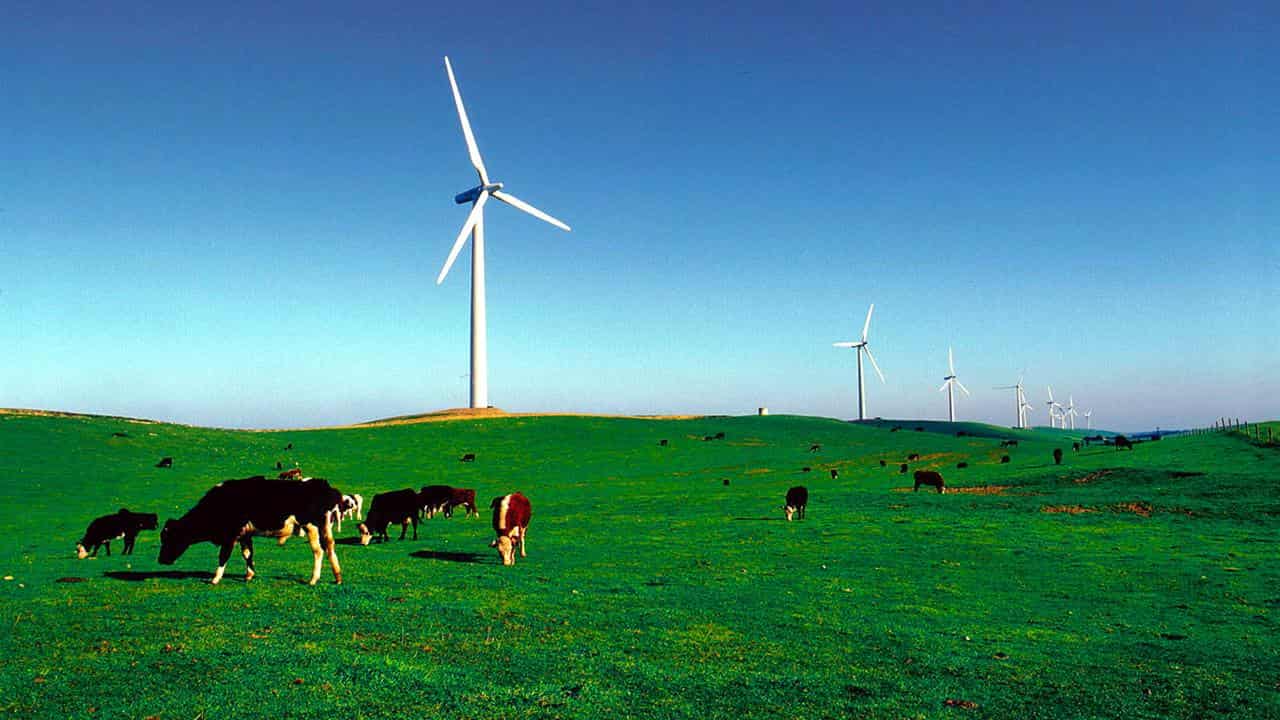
pixel 653 589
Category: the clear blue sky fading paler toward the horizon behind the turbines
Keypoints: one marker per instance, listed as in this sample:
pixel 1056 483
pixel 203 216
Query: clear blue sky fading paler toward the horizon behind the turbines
pixel 231 215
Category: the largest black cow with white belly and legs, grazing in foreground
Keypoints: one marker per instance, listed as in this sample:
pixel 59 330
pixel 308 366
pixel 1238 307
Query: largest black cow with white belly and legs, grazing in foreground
pixel 234 512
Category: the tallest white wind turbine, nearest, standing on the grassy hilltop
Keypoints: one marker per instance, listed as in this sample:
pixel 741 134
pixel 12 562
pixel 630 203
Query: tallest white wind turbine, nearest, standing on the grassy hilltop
pixel 474 226
